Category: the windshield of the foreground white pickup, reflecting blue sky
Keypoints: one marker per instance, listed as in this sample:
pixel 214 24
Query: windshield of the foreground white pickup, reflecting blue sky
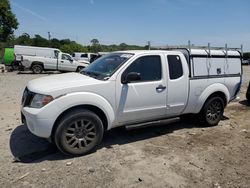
pixel 105 66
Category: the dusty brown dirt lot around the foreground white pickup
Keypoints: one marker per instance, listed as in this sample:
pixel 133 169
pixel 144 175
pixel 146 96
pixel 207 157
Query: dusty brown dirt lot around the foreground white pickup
pixel 165 155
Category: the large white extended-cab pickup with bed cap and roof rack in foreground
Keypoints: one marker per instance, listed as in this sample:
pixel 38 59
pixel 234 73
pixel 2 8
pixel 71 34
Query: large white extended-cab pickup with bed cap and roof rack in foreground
pixel 127 88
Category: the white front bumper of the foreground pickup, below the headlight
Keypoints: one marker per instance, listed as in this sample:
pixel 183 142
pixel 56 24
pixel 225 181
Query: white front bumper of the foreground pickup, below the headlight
pixel 38 126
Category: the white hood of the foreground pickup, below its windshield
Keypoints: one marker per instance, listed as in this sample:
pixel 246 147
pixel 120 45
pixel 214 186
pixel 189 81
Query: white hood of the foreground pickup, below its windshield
pixel 50 84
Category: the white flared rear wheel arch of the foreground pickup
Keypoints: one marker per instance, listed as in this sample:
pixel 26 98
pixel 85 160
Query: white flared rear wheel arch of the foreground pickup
pixel 208 91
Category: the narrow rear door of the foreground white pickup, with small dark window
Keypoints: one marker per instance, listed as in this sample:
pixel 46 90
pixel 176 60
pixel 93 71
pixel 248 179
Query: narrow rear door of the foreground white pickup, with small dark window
pixel 178 83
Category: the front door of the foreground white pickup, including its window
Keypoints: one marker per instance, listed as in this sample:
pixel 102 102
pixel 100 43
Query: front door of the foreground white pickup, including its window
pixel 144 99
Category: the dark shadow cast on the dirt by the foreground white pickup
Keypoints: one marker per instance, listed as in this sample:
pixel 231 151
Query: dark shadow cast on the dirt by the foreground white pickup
pixel 27 148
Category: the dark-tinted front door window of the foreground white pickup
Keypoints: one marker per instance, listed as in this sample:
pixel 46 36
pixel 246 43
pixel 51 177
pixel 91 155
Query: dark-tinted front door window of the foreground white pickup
pixel 149 68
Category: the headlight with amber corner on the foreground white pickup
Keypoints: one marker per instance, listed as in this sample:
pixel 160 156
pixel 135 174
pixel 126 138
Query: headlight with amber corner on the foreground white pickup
pixel 39 100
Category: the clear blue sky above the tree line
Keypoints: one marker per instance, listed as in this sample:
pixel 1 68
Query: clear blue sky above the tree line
pixel 162 22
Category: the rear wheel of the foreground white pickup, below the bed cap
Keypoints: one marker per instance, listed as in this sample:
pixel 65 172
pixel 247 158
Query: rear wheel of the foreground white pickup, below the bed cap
pixel 212 111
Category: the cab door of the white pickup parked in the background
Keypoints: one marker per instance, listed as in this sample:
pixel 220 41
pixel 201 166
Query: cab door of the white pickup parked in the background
pixel 65 63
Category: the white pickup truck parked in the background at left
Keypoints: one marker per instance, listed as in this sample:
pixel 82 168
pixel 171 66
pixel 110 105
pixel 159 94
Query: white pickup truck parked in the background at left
pixel 60 61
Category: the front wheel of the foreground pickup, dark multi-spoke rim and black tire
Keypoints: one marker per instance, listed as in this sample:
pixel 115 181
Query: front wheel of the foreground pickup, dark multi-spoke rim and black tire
pixel 79 132
